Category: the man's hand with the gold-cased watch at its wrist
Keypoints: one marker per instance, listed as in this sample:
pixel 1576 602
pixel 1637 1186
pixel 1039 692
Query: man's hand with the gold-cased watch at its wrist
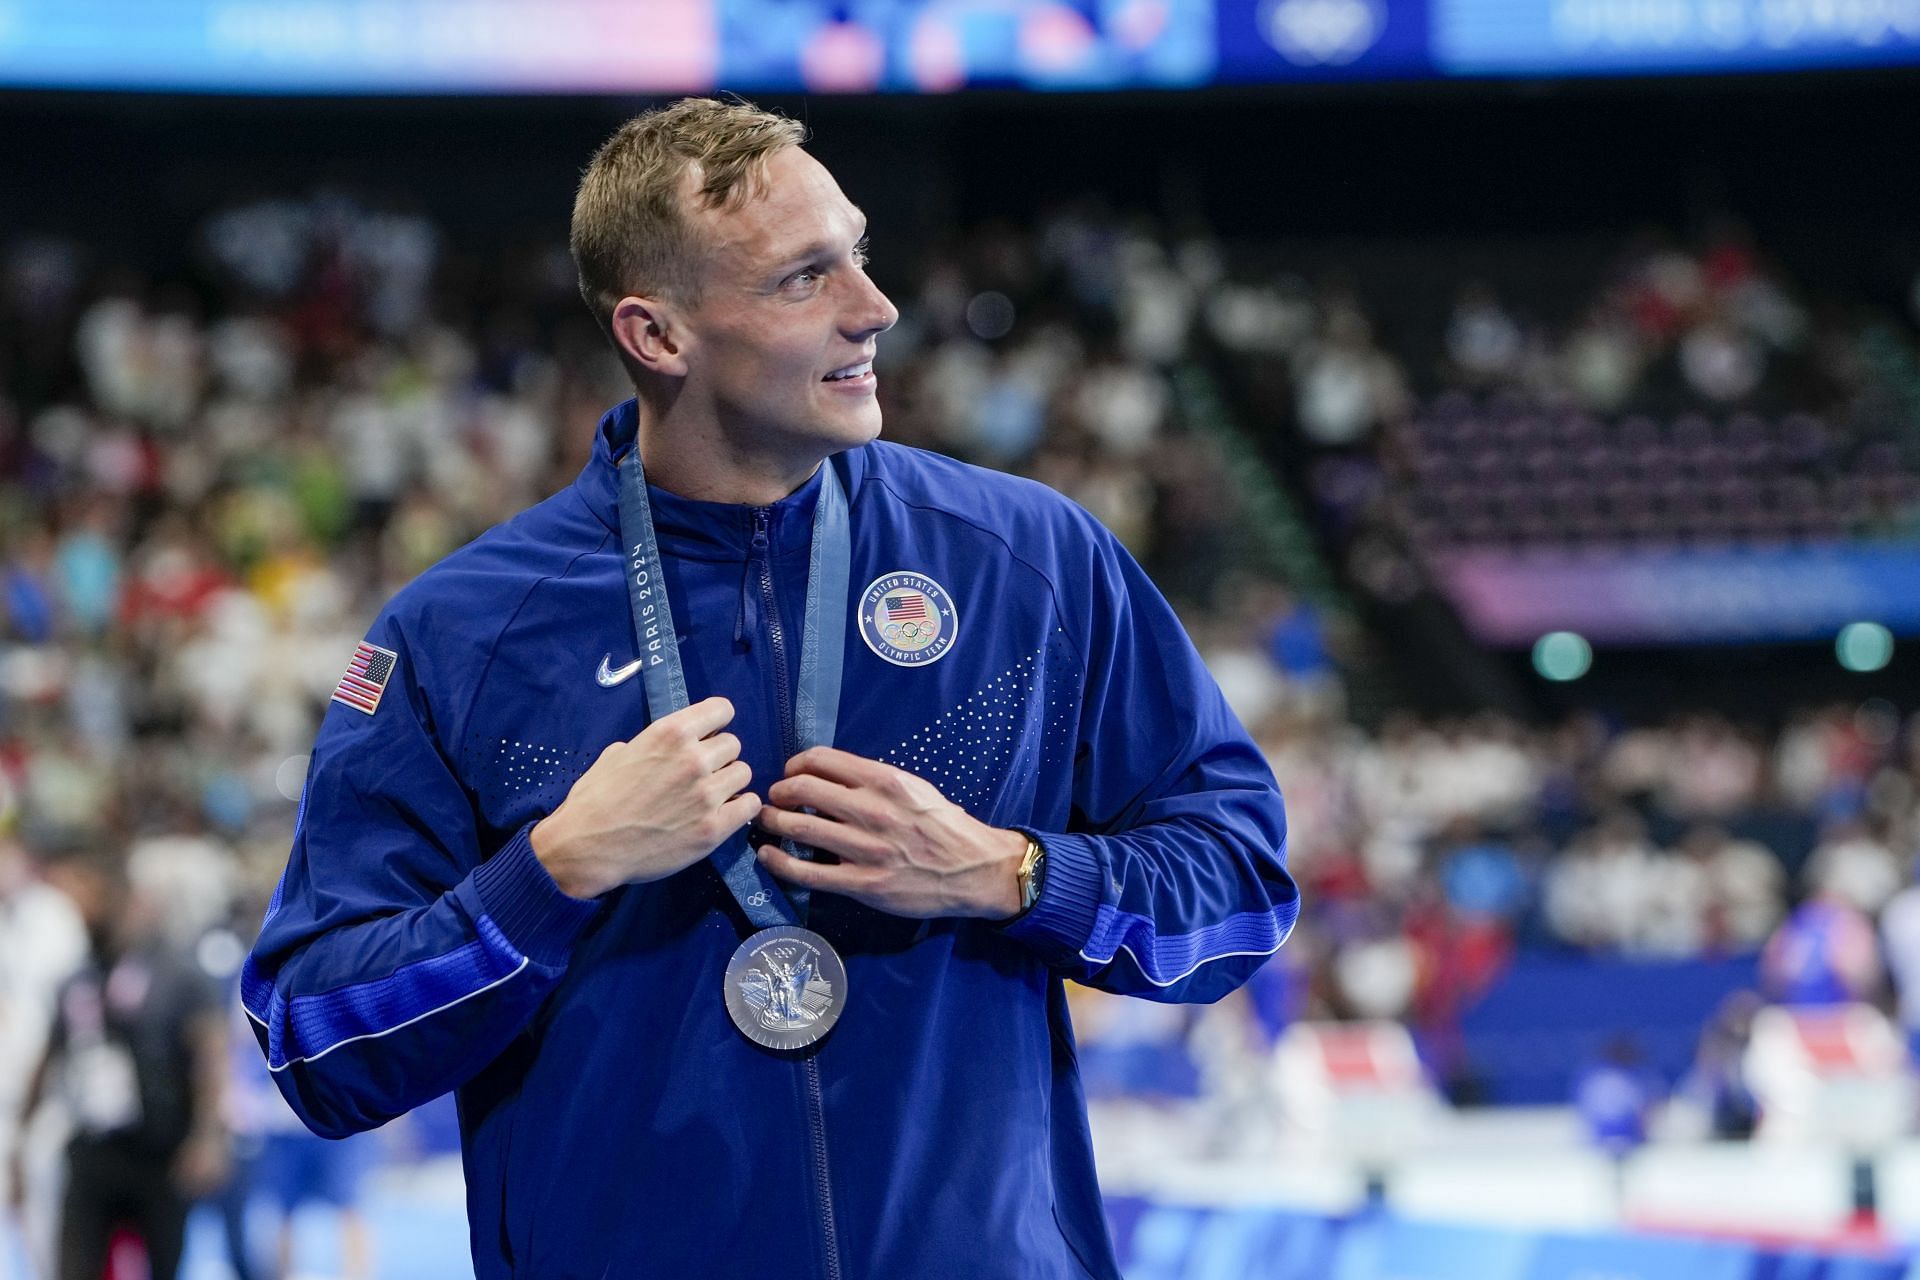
pixel 903 847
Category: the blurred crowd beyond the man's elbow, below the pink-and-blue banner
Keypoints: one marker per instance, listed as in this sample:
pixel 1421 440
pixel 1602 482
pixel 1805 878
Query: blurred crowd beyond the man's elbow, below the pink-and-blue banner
pixel 1433 851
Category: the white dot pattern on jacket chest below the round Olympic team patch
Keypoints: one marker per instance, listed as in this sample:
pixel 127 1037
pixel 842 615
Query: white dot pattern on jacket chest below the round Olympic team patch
pixel 972 747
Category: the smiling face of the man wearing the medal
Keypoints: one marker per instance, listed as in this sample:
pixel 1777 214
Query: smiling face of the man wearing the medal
pixel 784 306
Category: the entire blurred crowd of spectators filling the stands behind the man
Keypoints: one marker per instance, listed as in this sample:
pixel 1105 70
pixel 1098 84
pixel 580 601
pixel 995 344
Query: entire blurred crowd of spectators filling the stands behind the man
pixel 212 477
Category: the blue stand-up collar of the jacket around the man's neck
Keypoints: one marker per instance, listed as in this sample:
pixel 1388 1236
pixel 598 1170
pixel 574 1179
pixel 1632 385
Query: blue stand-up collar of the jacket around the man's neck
pixel 692 529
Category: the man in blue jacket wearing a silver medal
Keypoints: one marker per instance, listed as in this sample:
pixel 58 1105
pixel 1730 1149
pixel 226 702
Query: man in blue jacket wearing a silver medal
pixel 951 688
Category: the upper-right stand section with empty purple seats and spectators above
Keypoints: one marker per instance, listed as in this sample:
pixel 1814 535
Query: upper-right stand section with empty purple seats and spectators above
pixel 1658 392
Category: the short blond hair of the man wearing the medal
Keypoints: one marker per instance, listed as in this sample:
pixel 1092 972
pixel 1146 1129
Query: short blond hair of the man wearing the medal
pixel 631 231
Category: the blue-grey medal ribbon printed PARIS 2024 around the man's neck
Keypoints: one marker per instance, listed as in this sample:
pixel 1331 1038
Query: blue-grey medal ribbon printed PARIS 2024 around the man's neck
pixel 823 648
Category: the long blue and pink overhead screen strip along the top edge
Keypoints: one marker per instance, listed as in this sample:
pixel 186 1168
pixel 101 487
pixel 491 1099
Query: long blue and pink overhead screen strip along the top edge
pixel 665 47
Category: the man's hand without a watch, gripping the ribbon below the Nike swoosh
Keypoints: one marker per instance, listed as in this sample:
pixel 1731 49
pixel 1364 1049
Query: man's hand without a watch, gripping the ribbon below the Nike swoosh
pixel 650 807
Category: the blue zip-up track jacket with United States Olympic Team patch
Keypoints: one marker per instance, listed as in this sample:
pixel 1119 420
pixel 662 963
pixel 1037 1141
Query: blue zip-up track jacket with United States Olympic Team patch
pixel 615 1124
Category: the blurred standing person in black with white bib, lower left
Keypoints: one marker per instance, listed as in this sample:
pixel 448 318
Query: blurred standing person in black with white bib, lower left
pixel 139 1058
